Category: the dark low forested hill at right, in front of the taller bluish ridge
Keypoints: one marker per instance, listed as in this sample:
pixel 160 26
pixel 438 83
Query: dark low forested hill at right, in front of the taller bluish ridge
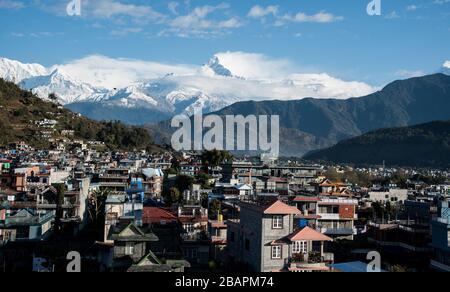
pixel 422 145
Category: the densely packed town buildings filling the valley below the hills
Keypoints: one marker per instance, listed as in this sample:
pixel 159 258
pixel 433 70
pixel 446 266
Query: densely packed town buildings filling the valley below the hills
pixel 130 212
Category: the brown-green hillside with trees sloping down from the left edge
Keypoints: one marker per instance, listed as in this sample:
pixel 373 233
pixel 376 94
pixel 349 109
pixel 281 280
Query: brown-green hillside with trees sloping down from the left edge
pixel 20 110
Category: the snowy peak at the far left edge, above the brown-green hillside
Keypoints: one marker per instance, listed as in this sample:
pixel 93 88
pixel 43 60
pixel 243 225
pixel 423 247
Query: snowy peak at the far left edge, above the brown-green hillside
pixel 15 71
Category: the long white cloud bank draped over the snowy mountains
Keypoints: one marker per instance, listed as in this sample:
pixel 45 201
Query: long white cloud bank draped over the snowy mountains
pixel 262 77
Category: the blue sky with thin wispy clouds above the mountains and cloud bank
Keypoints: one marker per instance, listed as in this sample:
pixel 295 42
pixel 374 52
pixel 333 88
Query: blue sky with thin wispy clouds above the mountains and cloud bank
pixel 411 37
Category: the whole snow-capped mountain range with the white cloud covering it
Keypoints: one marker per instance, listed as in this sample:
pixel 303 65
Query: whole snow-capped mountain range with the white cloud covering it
pixel 150 92
